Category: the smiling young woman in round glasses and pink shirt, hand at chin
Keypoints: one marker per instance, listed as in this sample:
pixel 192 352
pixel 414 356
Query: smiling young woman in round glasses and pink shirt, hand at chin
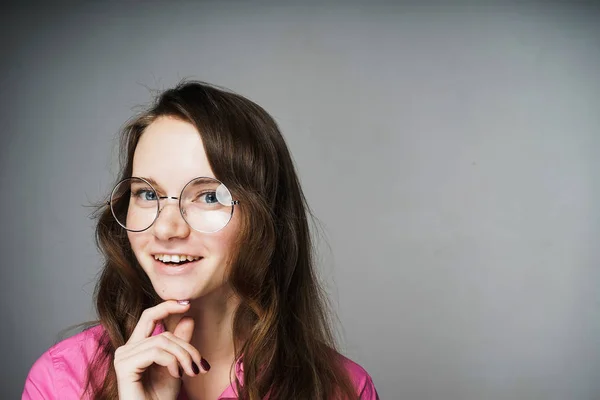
pixel 208 289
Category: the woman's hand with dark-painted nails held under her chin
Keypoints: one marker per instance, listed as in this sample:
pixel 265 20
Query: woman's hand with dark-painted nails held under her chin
pixel 160 359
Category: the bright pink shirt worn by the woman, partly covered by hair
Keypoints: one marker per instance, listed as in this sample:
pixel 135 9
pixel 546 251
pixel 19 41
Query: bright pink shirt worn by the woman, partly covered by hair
pixel 61 371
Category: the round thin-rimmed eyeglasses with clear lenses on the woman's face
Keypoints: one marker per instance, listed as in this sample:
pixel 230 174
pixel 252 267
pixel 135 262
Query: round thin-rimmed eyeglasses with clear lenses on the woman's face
pixel 205 204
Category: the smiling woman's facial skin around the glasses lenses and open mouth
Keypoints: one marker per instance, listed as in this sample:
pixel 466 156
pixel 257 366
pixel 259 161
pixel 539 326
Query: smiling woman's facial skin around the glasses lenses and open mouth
pixel 170 153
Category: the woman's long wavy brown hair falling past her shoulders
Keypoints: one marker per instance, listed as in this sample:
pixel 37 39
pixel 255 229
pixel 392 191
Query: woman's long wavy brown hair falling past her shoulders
pixel 289 350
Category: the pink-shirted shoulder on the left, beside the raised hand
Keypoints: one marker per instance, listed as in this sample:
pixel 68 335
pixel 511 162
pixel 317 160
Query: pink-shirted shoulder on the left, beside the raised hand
pixel 62 369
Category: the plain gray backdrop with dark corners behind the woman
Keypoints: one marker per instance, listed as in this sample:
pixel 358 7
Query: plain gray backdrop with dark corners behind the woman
pixel 449 151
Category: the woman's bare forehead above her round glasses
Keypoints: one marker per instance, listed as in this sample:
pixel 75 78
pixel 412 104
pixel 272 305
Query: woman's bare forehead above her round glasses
pixel 171 152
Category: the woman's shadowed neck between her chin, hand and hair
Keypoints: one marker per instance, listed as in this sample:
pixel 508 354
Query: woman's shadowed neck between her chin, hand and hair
pixel 213 325
